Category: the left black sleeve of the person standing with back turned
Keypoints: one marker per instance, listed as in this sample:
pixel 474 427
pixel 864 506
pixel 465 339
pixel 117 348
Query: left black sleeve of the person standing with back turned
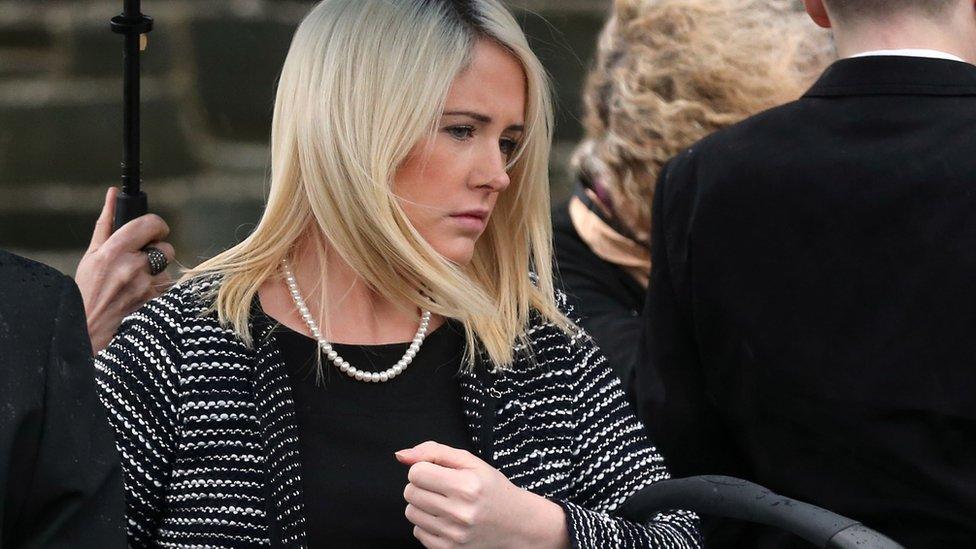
pixel 670 389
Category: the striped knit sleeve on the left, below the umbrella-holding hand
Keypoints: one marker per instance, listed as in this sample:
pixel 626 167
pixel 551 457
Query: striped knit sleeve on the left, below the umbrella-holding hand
pixel 137 378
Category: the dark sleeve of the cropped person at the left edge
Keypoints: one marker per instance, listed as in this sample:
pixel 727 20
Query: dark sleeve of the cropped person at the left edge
pixel 74 498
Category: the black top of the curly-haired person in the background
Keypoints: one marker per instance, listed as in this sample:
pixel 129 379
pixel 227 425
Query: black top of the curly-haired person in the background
pixel 606 298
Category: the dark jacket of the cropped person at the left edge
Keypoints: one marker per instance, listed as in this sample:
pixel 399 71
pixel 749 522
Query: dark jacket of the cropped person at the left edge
pixel 60 483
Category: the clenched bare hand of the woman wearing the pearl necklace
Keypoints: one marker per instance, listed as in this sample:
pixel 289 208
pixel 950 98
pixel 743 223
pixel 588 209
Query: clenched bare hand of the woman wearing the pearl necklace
pixel 455 499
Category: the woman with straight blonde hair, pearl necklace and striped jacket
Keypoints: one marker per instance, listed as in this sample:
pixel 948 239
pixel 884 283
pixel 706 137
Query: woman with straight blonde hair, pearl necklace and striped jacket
pixel 375 365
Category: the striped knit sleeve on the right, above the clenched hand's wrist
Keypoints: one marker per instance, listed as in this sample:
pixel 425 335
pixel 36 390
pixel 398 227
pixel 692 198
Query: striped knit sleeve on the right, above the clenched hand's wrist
pixel 613 459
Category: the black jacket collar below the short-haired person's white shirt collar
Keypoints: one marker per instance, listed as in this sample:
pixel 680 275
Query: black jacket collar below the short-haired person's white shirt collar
pixel 895 75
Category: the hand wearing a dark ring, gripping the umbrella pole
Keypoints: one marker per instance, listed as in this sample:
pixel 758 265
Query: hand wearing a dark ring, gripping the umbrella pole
pixel 113 275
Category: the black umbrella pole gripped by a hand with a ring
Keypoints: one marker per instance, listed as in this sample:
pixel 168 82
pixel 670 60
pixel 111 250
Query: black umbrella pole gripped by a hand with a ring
pixel 132 201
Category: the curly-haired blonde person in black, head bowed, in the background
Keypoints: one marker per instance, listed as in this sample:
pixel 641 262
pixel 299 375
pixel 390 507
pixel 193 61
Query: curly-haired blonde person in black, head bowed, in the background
pixel 668 73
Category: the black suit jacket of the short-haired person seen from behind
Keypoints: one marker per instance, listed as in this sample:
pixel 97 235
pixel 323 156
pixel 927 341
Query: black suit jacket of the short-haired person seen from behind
pixel 811 320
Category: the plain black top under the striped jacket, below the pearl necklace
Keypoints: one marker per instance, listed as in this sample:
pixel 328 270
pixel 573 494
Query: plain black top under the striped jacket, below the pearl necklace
pixel 349 430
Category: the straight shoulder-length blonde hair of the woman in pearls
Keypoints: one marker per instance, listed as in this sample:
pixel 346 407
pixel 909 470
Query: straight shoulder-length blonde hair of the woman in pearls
pixel 363 82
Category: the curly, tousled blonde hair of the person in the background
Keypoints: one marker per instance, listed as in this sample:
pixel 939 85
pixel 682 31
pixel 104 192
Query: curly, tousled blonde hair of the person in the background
pixel 670 72
